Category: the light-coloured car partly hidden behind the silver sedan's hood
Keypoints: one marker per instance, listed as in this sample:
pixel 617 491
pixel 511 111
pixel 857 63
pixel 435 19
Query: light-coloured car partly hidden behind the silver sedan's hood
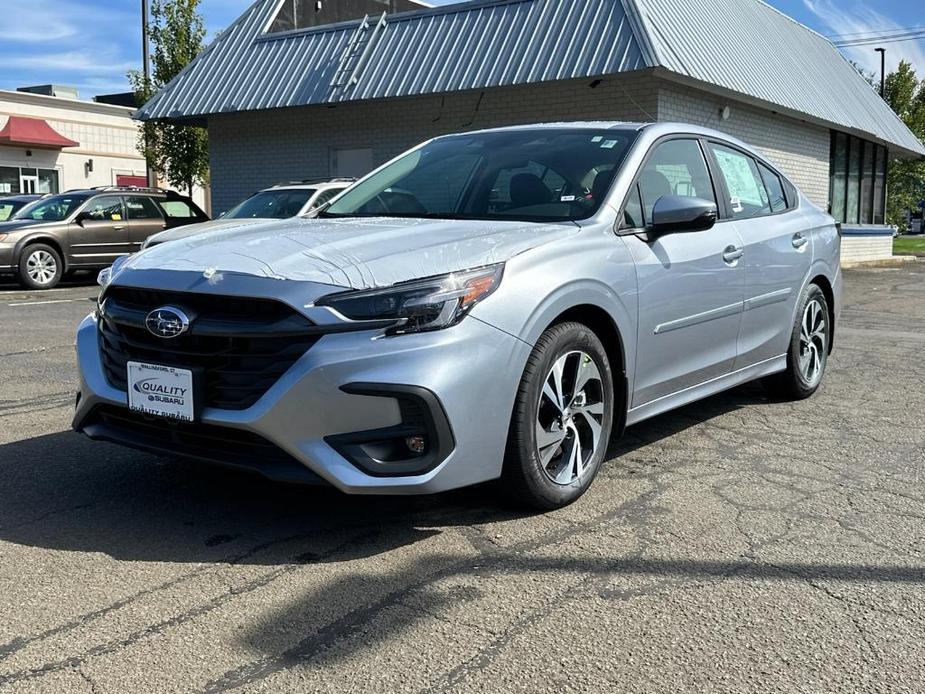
pixel 282 201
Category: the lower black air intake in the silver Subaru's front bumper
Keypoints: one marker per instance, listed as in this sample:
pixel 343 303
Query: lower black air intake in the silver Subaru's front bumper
pixel 208 442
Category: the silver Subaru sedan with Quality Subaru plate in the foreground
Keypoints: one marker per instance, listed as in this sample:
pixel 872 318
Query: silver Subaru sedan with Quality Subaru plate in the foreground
pixel 489 305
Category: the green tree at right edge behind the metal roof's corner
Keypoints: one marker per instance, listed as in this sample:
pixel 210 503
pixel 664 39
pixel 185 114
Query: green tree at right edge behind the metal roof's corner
pixel 906 181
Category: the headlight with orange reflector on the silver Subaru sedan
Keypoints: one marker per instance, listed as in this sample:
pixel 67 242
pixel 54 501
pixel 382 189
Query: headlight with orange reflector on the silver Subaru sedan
pixel 422 305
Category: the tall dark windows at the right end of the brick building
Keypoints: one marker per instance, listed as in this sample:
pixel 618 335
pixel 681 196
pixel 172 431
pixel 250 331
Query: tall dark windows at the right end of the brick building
pixel 857 181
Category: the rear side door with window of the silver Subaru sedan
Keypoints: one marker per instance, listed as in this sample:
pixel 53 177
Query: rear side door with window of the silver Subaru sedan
pixel 778 252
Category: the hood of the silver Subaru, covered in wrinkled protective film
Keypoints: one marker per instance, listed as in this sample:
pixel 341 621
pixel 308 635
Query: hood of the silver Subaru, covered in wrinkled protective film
pixel 356 253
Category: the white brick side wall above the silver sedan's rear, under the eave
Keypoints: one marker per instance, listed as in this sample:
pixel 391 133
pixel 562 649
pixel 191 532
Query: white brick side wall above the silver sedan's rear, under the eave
pixel 800 150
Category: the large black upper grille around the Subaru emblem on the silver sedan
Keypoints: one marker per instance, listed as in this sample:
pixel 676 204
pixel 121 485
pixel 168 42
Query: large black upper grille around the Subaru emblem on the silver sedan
pixel 240 346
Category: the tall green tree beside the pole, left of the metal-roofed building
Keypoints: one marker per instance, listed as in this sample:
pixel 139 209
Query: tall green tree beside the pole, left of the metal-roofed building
pixel 177 153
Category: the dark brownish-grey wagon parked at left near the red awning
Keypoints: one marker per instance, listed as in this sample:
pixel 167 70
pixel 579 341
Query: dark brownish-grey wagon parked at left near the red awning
pixel 86 230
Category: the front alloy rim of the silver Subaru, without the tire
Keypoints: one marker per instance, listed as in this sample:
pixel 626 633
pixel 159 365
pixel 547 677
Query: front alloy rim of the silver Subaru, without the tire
pixel 570 417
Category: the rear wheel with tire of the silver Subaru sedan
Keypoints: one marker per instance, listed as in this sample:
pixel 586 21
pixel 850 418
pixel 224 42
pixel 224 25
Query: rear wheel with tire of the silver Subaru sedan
pixel 808 354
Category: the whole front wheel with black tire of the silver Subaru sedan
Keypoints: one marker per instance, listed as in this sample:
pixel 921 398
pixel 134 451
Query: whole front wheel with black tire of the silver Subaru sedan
pixel 562 420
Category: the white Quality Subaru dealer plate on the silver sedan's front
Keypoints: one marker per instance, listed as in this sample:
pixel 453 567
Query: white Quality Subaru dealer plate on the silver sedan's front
pixel 161 390
